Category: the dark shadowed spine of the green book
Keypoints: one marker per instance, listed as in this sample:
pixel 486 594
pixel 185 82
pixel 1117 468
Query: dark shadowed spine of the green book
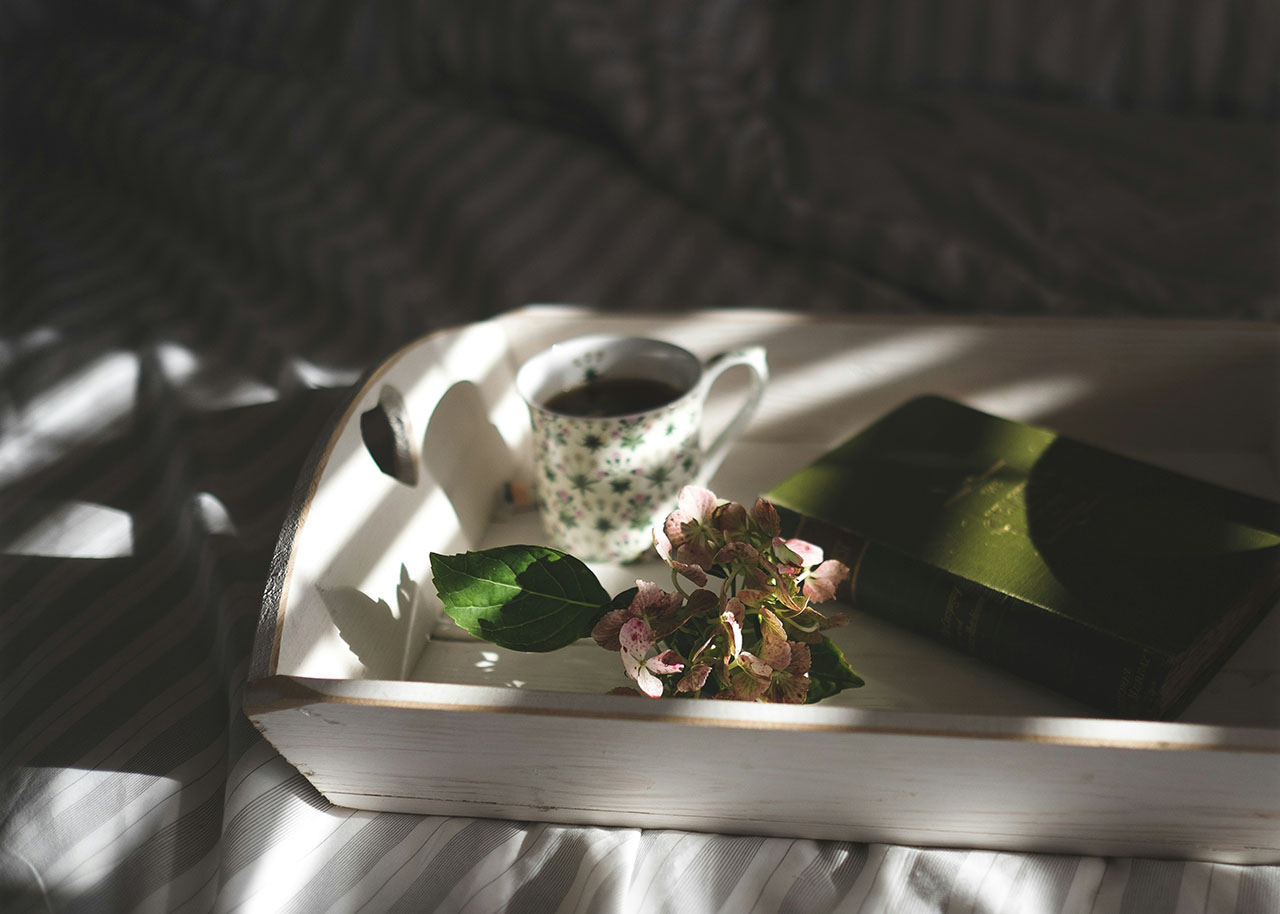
pixel 1114 677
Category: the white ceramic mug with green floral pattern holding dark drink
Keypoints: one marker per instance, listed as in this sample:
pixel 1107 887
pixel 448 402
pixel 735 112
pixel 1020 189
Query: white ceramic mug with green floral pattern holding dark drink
pixel 605 481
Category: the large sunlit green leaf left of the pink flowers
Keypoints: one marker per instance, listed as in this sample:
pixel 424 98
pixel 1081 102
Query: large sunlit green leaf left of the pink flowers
pixel 520 597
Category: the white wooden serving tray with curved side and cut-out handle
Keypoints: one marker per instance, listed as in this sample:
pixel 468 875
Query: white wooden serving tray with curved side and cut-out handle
pixel 382 703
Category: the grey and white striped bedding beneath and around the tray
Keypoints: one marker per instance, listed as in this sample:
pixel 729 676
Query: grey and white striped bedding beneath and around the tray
pixel 216 217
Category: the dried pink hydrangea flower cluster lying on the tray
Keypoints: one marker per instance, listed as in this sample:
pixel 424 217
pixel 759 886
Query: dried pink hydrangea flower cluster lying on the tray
pixel 742 619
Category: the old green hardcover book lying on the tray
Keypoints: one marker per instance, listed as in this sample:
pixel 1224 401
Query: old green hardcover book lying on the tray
pixel 1105 578
